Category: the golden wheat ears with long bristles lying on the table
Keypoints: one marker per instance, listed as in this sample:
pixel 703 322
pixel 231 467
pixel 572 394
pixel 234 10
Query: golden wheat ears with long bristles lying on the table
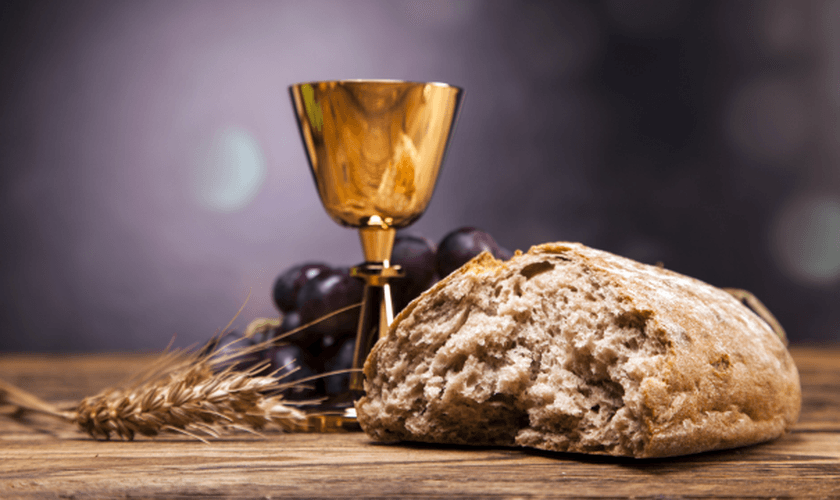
pixel 194 393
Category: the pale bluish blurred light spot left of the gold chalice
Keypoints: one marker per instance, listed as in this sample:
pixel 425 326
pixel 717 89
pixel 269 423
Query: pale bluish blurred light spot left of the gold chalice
pixel 230 171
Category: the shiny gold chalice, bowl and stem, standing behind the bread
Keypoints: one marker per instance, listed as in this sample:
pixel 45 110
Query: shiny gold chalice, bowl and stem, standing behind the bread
pixel 375 149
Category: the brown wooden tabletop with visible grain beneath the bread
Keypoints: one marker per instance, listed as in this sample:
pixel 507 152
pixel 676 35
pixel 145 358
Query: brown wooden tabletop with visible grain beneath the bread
pixel 46 459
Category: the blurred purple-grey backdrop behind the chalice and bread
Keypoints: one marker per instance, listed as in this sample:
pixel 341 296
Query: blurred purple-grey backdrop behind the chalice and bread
pixel 151 173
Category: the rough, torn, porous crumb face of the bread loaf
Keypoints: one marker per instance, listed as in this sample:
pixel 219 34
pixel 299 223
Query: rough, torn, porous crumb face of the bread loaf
pixel 522 356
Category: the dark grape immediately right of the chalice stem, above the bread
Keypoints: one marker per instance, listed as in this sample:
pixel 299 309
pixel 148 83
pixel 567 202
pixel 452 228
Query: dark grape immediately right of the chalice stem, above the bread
pixel 417 256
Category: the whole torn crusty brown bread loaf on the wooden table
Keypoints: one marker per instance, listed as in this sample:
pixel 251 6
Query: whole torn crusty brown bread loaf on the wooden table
pixel 571 349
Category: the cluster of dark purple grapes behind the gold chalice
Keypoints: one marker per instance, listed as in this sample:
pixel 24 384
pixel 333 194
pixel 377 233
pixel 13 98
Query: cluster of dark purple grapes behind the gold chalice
pixel 306 292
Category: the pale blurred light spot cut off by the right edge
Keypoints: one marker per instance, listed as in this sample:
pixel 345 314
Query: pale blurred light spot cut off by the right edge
pixel 807 239
